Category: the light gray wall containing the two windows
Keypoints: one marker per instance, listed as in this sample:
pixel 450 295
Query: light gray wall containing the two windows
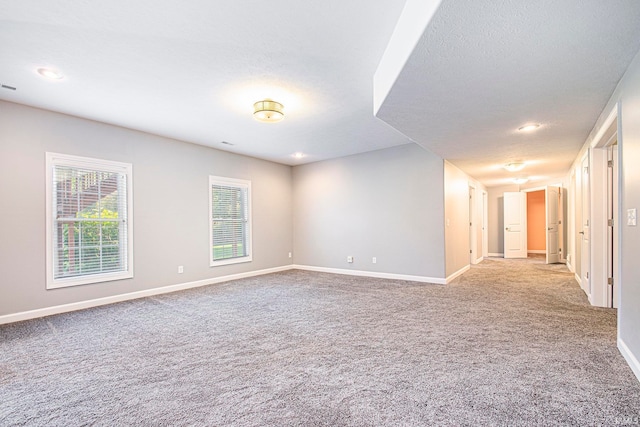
pixel 170 205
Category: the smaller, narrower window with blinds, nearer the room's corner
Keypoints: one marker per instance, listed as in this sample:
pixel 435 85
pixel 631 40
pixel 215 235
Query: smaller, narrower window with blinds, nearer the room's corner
pixel 230 220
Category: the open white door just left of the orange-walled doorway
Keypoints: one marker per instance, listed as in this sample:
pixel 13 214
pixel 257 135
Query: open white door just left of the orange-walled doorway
pixel 515 225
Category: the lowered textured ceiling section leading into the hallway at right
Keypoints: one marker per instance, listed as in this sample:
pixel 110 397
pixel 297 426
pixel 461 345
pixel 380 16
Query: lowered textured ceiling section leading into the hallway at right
pixel 481 70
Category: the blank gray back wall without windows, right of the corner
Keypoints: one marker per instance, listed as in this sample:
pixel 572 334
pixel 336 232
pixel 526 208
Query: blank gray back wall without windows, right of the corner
pixel 386 204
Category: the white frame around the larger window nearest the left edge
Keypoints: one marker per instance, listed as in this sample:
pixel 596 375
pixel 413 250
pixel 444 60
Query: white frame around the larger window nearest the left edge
pixel 55 159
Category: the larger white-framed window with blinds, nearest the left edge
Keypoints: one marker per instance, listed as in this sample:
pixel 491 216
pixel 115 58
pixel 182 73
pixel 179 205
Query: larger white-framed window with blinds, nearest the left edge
pixel 89 227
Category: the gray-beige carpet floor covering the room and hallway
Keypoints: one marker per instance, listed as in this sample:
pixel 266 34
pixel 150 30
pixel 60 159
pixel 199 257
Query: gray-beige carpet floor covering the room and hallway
pixel 511 342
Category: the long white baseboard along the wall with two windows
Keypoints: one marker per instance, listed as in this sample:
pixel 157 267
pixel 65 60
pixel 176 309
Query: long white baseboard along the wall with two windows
pixel 48 311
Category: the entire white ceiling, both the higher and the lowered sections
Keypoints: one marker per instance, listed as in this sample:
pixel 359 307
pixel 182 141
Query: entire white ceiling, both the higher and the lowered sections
pixel 192 71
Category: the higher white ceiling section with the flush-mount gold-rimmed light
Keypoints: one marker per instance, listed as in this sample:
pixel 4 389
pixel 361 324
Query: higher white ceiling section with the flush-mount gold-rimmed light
pixel 192 70
